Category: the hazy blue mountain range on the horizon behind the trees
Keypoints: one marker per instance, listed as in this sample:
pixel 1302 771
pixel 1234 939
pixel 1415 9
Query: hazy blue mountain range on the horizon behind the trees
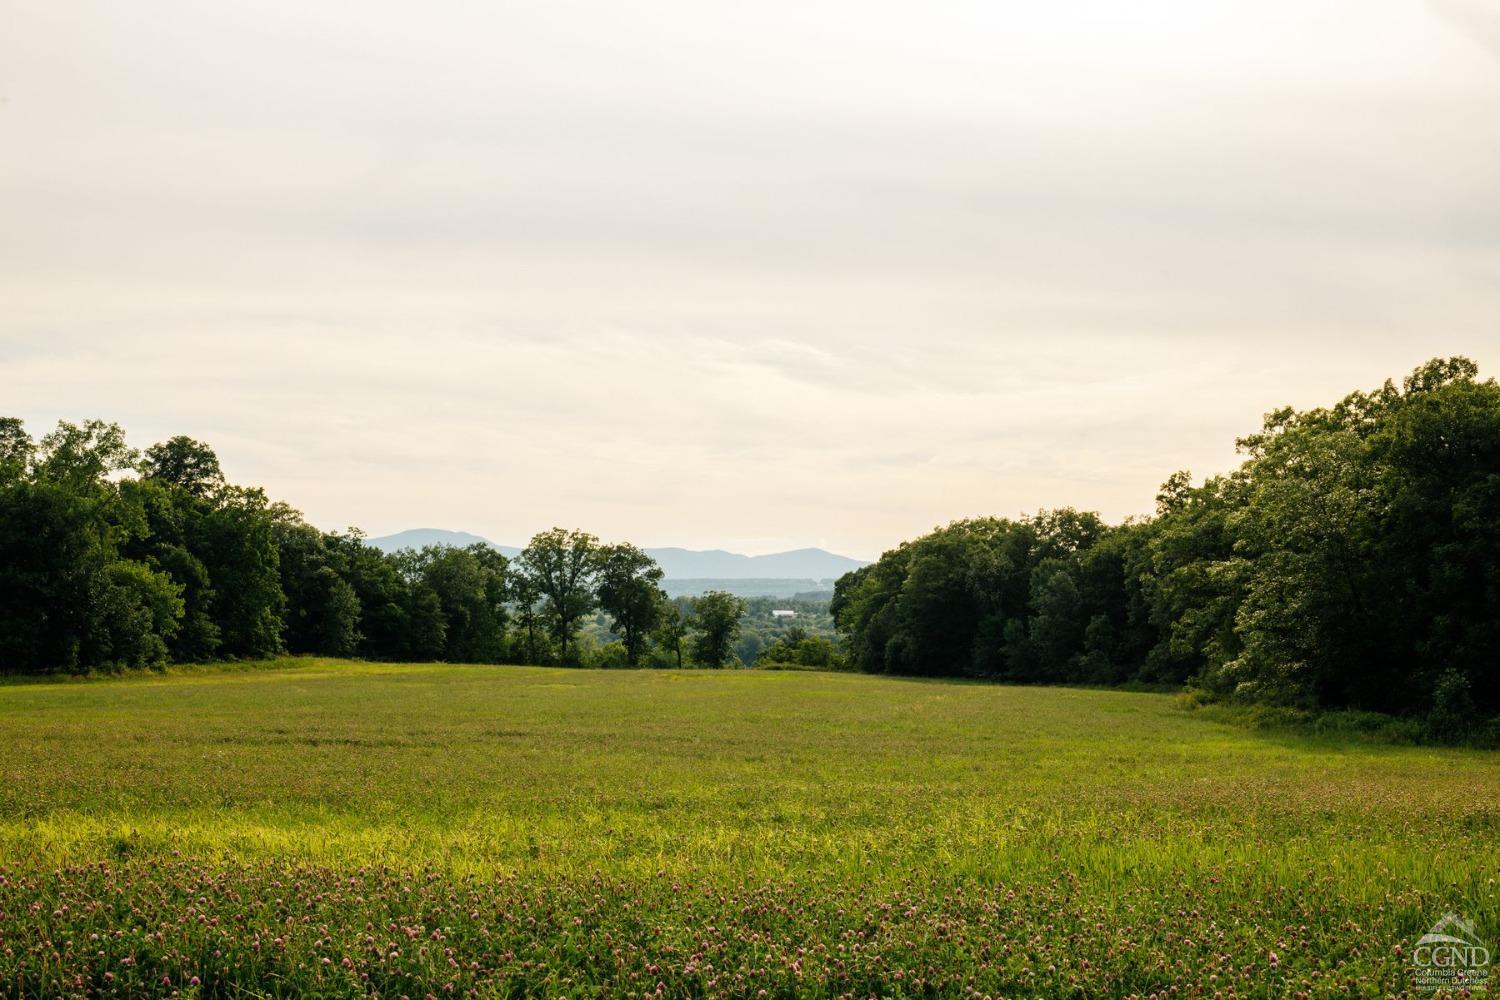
pixel 811 566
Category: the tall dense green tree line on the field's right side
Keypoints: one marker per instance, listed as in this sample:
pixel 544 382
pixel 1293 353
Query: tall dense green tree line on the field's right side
pixel 1351 563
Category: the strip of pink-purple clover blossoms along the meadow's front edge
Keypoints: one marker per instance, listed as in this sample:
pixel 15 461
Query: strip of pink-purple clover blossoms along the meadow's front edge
pixel 185 927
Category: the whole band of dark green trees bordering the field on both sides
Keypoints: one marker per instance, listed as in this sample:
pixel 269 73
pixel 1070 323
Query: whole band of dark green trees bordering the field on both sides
pixel 1351 561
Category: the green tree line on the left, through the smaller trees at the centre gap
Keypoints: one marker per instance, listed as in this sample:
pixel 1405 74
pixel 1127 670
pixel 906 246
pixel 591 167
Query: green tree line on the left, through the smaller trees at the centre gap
pixel 112 558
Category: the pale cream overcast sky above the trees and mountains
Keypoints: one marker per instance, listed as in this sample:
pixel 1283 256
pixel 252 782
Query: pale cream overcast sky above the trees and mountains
pixel 751 277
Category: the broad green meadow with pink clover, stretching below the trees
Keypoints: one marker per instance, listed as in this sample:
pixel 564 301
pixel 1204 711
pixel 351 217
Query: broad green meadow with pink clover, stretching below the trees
pixel 320 828
